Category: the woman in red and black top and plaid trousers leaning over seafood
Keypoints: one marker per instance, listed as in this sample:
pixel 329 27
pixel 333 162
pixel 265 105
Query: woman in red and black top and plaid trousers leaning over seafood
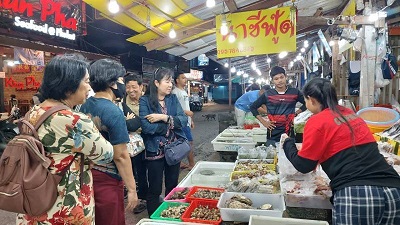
pixel 366 189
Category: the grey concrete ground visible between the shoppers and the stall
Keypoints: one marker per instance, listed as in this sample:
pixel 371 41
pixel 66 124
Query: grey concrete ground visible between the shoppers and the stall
pixel 204 132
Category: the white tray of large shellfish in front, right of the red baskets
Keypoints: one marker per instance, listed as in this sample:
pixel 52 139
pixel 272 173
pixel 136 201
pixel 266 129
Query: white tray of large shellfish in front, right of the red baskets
pixel 239 206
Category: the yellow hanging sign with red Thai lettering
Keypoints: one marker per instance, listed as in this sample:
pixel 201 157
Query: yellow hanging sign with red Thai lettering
pixel 257 32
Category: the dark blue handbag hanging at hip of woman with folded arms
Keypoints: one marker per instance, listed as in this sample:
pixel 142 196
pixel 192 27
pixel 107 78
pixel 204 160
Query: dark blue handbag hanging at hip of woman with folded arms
pixel 176 151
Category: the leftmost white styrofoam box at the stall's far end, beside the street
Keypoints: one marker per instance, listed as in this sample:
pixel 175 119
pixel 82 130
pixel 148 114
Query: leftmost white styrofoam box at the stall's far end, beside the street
pixel 234 144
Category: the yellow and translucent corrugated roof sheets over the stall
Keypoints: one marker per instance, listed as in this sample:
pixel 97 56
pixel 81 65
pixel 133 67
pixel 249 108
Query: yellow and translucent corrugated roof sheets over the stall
pixel 152 19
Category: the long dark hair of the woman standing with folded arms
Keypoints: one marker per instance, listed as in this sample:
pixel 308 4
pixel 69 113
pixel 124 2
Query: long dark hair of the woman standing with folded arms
pixel 152 92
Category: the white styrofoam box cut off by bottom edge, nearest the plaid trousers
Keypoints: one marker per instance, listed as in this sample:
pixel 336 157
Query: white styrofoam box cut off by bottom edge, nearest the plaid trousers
pixel 263 220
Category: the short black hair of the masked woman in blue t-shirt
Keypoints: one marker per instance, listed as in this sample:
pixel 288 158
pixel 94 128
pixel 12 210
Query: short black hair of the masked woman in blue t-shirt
pixel 104 73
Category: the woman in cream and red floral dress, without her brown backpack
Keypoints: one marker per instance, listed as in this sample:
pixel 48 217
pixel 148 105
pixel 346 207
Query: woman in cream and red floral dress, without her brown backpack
pixel 65 134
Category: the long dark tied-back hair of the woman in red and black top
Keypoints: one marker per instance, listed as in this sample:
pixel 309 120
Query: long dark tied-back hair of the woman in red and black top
pixel 325 93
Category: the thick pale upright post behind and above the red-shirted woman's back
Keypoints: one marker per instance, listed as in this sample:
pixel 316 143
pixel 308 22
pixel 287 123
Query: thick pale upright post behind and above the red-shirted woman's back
pixel 368 64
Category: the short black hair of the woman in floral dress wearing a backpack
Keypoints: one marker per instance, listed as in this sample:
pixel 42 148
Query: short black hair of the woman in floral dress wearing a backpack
pixel 62 76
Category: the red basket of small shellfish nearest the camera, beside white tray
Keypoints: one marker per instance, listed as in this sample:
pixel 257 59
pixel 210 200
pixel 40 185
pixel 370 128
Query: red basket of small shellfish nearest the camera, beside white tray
pixel 202 212
